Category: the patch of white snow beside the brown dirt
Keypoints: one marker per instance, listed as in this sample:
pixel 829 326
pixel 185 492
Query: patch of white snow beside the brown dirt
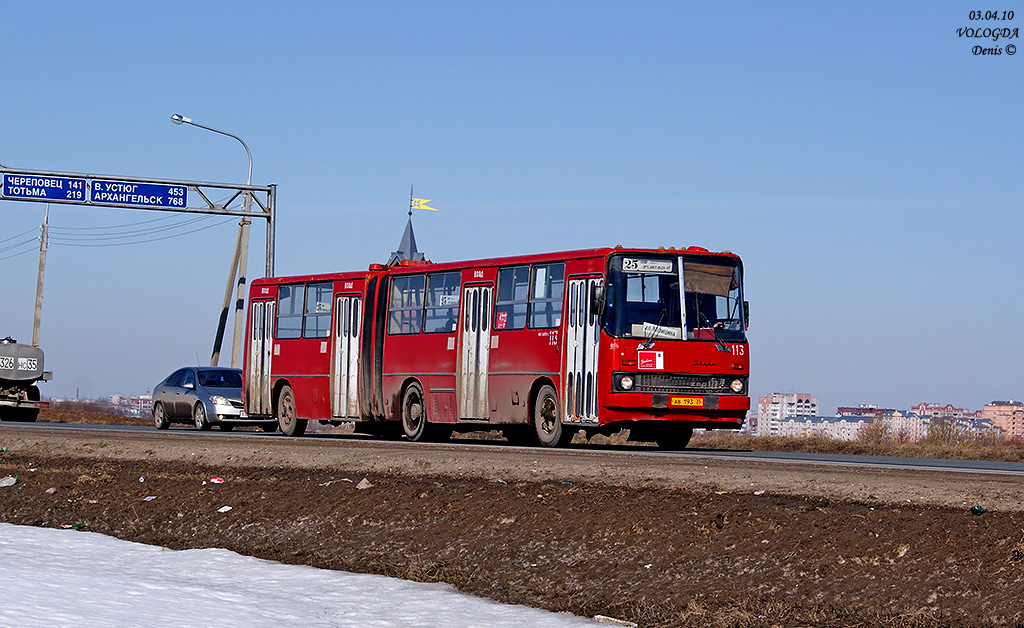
pixel 82 580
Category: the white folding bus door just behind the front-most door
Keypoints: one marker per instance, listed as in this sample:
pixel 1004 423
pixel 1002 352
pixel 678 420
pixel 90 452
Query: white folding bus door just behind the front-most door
pixel 475 351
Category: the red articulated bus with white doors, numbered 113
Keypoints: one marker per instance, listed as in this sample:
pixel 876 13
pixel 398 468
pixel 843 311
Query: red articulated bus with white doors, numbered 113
pixel 540 347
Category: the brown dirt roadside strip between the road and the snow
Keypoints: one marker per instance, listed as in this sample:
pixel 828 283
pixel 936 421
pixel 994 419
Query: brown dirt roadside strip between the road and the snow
pixel 657 540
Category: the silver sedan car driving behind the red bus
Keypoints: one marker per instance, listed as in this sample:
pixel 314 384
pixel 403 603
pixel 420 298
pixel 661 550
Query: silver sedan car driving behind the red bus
pixel 202 396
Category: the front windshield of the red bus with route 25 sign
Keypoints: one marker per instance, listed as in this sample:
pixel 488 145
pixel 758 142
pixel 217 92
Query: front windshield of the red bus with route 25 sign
pixel 645 300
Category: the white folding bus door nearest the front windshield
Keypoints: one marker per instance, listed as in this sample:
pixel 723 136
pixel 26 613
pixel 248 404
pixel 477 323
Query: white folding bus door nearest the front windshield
pixel 582 339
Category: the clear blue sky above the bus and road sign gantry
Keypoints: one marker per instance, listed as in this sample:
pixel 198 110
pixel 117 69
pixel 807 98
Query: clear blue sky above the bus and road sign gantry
pixel 861 159
